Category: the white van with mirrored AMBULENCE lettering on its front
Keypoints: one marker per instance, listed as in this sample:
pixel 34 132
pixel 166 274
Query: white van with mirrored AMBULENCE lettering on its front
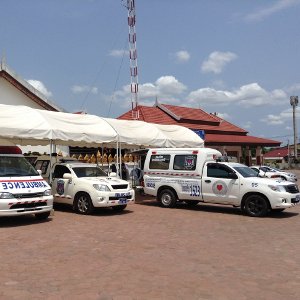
pixel 23 191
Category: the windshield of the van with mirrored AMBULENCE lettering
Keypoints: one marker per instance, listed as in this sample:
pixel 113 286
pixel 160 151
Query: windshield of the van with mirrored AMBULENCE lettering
pixel 15 166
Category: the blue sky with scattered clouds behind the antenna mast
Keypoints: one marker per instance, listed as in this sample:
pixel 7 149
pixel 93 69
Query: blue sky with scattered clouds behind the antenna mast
pixel 237 58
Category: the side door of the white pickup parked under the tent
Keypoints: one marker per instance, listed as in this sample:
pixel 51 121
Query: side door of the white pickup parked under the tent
pixel 60 186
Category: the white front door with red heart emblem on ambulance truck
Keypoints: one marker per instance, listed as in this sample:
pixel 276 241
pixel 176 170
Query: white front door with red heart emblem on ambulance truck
pixel 219 184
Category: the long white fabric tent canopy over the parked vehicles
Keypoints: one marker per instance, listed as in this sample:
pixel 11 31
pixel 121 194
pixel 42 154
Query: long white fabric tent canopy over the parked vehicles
pixel 23 125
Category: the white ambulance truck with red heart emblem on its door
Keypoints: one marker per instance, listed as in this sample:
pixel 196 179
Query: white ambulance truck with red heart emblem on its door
pixel 194 175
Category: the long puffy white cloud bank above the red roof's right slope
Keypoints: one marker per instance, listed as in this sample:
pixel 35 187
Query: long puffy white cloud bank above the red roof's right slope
pixel 248 95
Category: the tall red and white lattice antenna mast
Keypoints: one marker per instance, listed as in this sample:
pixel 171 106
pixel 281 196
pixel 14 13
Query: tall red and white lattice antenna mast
pixel 130 5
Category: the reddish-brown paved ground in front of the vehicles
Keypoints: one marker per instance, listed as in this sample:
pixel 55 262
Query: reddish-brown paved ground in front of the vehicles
pixel 148 252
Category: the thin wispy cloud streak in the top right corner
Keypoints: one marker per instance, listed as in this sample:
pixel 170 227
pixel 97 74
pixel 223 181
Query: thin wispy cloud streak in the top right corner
pixel 271 9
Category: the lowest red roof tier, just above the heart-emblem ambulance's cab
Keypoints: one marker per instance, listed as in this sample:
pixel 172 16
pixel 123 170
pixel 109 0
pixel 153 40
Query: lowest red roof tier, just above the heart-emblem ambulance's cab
pixel 238 139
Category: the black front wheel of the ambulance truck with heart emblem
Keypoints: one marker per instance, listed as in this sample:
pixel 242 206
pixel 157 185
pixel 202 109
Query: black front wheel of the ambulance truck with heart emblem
pixel 256 206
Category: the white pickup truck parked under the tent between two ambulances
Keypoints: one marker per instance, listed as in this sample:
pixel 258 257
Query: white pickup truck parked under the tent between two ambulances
pixel 86 186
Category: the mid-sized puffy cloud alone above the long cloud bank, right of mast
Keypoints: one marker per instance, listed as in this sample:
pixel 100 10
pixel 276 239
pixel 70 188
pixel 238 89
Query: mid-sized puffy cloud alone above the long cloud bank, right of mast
pixel 217 61
